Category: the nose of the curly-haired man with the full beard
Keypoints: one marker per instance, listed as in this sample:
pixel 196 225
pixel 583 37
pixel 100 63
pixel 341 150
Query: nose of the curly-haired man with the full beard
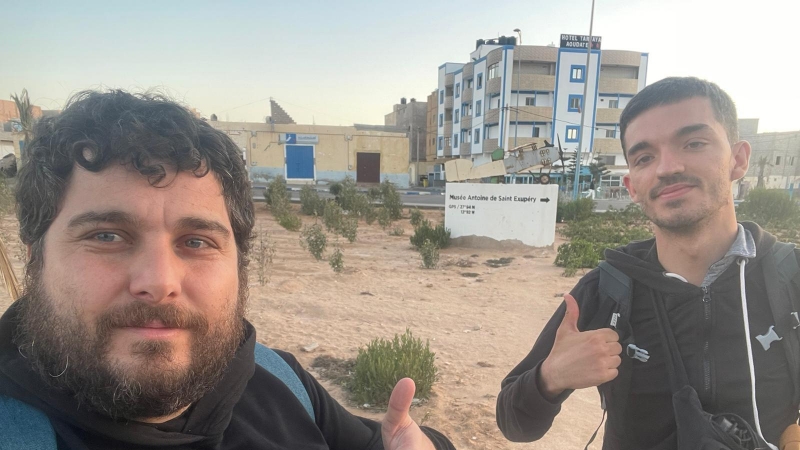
pixel 156 272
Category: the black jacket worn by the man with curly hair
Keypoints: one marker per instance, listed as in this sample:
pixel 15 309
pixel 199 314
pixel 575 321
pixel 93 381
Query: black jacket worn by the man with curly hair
pixel 250 409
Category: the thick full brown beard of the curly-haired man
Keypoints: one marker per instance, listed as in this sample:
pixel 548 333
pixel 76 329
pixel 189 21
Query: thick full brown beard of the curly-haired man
pixel 63 352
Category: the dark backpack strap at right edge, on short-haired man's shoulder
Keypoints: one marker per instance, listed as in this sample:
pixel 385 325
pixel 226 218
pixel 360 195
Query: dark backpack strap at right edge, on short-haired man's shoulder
pixel 779 271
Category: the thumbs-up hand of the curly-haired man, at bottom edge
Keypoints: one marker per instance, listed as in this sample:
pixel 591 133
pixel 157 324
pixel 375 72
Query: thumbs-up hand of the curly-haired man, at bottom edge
pixel 398 430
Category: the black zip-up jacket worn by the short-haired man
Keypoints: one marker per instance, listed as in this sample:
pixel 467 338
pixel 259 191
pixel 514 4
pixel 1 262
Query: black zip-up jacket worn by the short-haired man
pixel 710 337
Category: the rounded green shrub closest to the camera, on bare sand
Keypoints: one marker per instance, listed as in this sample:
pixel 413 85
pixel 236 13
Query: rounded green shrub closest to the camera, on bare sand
pixel 383 363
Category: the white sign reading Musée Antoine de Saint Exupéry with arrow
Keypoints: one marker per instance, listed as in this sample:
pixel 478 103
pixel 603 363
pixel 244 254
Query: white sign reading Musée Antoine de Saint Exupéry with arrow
pixel 523 212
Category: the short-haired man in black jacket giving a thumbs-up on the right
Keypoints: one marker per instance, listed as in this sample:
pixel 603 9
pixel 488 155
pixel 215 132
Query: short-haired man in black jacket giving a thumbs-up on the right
pixel 696 303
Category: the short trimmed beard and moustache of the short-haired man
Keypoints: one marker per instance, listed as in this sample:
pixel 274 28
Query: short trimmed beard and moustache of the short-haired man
pixel 682 220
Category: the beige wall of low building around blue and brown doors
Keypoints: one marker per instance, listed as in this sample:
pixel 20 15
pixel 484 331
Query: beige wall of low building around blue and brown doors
pixel 335 153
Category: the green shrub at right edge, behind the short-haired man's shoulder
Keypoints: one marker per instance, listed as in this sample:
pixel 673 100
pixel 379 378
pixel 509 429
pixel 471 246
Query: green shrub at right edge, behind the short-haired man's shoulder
pixel 770 208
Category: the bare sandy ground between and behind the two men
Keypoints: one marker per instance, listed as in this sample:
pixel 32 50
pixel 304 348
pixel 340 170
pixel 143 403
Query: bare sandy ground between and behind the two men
pixel 480 327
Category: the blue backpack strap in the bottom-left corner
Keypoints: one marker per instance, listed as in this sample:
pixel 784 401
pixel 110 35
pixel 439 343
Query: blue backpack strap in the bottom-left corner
pixel 24 427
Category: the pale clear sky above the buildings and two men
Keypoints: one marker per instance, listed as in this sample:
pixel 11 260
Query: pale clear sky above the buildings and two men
pixel 348 61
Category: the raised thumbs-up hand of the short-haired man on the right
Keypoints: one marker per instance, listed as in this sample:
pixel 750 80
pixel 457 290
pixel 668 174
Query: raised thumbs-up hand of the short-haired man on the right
pixel 579 359
